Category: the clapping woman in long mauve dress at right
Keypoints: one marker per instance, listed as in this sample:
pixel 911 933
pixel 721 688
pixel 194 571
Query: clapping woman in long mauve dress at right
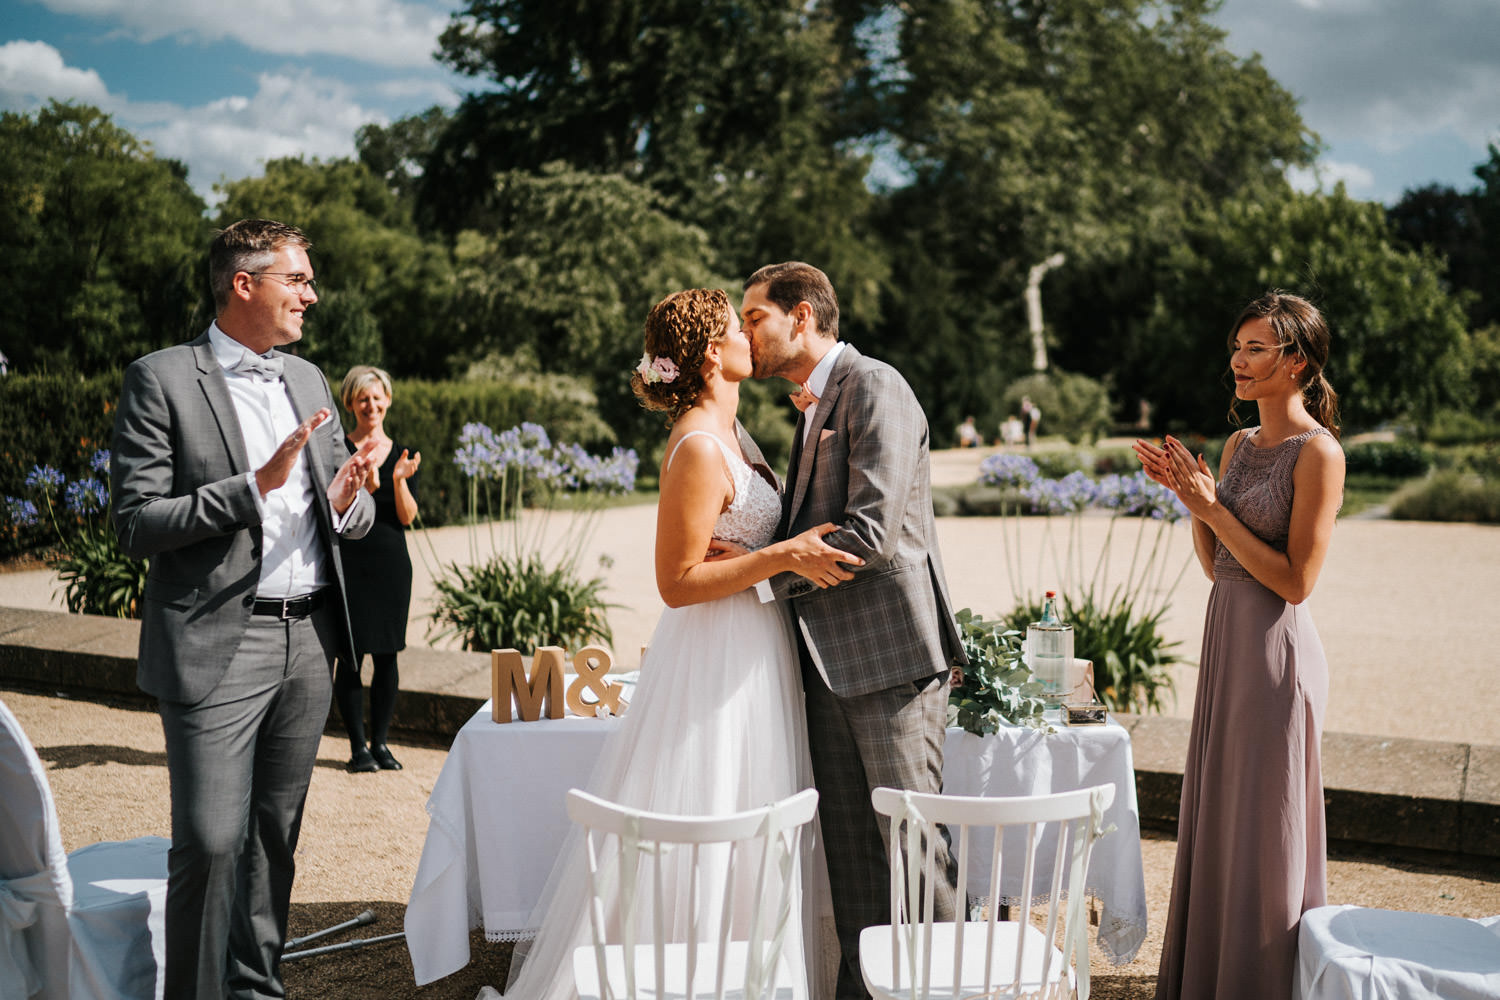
pixel 1252 848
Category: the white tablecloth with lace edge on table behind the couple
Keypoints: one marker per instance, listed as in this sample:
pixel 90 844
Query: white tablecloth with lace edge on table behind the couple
pixel 499 818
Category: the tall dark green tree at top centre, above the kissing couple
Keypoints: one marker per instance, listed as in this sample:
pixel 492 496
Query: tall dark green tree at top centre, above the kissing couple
pixel 731 110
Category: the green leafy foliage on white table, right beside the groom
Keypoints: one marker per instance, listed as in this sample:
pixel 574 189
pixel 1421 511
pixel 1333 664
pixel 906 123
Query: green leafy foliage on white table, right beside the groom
pixel 998 687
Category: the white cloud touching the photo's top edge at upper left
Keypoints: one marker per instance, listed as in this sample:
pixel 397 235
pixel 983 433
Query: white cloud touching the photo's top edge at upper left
pixel 383 32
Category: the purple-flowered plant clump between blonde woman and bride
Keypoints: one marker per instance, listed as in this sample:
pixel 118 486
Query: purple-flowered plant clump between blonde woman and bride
pixel 523 596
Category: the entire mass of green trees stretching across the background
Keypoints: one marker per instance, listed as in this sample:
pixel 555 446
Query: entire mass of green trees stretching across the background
pixel 925 154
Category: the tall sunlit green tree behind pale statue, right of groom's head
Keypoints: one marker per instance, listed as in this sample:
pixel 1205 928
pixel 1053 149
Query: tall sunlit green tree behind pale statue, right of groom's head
pixel 1094 128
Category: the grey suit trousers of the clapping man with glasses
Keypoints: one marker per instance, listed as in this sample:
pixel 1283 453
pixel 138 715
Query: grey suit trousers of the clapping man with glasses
pixel 241 762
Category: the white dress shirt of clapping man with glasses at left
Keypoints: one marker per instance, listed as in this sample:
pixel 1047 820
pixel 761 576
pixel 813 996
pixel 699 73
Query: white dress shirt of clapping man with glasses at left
pixel 292 554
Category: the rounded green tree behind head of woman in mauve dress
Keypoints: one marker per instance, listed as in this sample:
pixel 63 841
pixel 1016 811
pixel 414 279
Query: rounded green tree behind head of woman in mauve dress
pixel 1399 335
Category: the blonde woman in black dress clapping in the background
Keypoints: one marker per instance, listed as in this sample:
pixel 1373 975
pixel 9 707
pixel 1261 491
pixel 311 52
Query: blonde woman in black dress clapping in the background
pixel 377 572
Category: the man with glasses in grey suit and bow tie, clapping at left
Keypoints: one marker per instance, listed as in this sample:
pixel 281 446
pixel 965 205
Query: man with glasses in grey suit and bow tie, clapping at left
pixel 232 478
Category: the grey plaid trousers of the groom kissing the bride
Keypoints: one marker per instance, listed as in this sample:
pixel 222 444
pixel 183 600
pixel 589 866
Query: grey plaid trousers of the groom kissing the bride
pixel 892 738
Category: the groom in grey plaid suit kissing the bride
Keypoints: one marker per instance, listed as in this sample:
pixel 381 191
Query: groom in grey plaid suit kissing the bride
pixel 878 650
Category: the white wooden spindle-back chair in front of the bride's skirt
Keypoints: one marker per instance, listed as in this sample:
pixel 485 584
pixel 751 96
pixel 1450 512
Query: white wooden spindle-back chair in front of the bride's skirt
pixel 698 906
